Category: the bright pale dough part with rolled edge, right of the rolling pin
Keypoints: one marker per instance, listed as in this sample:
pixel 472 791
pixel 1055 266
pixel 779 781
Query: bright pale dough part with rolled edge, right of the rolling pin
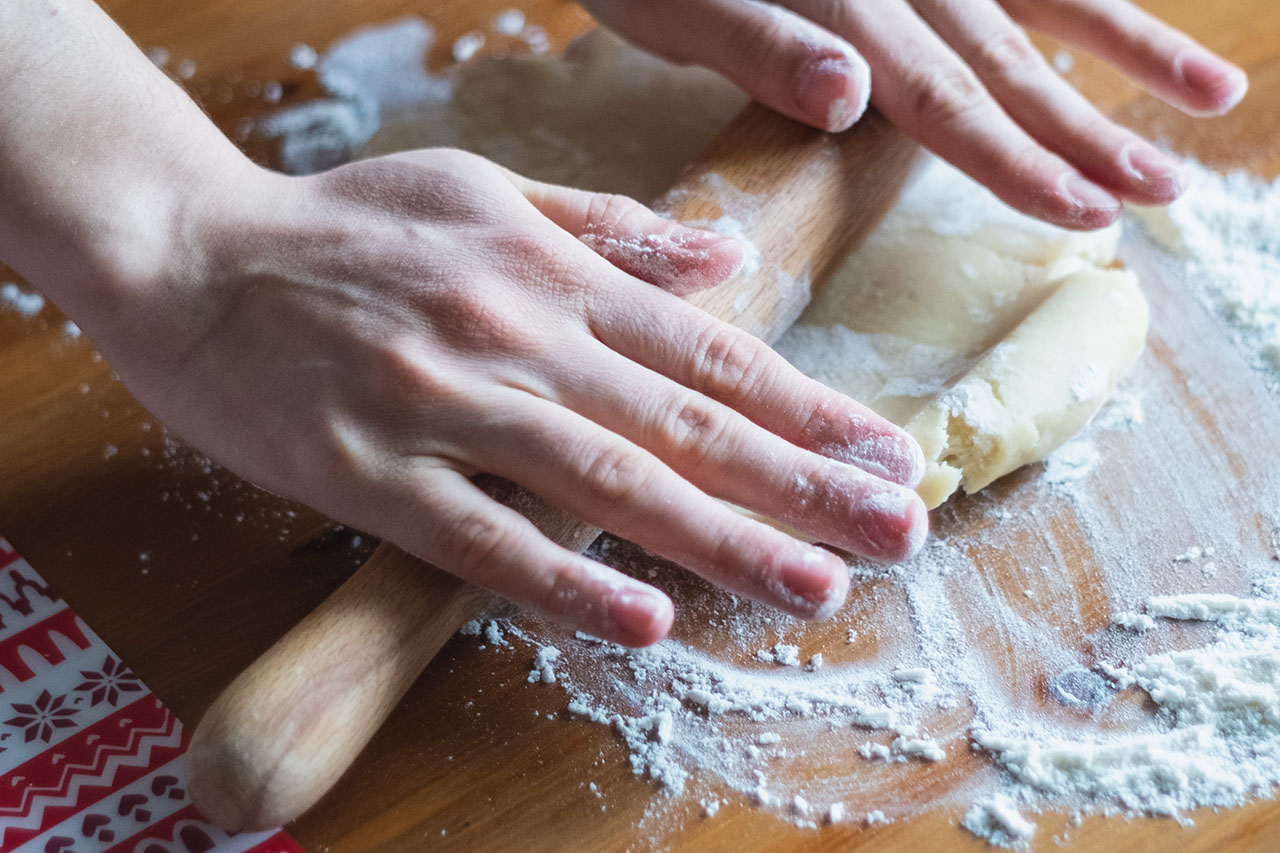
pixel 991 337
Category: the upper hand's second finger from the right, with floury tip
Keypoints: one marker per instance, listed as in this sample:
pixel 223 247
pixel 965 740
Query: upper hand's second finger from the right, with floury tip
pixel 1054 113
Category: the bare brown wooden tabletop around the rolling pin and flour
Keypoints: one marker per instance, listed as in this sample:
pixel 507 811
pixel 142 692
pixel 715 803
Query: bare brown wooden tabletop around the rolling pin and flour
pixel 190 574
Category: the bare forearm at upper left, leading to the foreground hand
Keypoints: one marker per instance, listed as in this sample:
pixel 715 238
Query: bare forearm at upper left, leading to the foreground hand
pixel 103 158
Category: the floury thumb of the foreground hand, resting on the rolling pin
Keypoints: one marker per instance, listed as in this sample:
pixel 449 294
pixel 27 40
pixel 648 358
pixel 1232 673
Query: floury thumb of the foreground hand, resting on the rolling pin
pixel 637 240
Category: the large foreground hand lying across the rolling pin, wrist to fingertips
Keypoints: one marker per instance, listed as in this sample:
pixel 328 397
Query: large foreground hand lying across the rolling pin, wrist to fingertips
pixel 369 339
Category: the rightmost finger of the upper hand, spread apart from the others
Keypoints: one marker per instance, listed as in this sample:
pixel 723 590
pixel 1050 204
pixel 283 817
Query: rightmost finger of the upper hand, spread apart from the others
pixel 1160 58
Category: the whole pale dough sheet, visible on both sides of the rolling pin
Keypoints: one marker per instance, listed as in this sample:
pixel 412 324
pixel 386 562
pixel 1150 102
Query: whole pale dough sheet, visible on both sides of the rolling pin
pixel 990 336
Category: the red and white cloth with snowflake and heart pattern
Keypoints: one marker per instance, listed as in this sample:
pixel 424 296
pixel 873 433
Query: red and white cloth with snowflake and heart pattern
pixel 90 760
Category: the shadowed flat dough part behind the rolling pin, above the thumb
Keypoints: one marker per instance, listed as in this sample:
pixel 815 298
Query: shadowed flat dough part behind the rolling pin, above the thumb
pixel 602 117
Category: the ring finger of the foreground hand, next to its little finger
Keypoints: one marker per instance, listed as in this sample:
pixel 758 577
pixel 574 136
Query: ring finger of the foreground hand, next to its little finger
pixel 605 480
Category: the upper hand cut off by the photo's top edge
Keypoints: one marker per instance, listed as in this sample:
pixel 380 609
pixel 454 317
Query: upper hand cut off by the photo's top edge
pixel 963 79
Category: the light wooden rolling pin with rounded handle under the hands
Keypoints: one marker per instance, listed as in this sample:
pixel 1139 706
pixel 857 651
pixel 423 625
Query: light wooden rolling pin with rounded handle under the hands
pixel 284 733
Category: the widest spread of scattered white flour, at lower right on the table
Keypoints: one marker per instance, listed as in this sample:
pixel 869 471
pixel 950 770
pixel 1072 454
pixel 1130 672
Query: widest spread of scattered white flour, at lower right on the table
pixel 1214 740
